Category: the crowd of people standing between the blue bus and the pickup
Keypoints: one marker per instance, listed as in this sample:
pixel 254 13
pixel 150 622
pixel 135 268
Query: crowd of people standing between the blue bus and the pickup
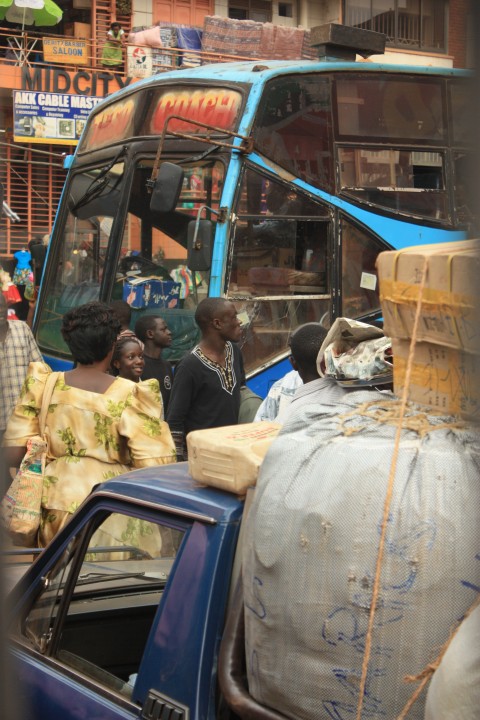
pixel 123 406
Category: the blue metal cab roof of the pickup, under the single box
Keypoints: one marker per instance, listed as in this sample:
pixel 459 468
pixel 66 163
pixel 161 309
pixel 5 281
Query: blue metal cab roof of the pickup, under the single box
pixel 172 486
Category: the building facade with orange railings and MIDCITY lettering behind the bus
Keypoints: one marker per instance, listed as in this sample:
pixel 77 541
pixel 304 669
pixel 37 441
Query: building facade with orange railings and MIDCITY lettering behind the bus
pixel 425 32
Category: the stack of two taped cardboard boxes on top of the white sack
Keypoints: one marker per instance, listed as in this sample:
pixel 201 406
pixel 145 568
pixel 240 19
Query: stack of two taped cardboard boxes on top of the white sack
pixel 446 361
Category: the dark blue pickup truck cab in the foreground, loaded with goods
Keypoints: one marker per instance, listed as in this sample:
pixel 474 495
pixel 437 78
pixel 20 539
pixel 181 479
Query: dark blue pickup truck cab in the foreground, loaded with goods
pixel 123 614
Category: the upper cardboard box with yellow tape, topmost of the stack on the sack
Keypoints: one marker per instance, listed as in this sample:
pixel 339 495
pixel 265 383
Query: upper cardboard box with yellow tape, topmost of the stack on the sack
pixel 451 295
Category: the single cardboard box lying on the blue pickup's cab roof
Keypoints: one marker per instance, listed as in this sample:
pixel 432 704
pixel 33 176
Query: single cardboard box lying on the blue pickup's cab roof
pixel 230 457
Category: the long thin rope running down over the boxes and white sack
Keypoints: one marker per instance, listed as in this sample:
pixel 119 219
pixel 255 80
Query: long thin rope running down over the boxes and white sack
pixel 388 498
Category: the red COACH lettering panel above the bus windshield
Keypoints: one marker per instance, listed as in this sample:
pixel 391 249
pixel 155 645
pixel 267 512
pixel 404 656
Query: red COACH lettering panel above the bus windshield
pixel 217 107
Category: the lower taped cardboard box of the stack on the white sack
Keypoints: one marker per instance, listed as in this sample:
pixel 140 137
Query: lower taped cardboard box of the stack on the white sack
pixel 443 378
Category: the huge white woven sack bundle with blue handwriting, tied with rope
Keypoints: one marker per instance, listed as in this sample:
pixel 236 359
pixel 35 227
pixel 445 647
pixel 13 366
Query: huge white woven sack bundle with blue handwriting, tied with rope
pixel 311 543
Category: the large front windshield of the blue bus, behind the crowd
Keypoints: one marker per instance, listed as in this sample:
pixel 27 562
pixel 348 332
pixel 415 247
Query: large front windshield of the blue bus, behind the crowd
pixel 131 253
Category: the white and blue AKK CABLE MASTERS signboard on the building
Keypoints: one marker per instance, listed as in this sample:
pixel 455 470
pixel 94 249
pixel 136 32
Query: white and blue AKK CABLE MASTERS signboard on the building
pixel 50 117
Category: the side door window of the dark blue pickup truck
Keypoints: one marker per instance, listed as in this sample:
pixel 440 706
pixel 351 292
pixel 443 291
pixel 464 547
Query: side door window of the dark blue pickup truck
pixel 96 611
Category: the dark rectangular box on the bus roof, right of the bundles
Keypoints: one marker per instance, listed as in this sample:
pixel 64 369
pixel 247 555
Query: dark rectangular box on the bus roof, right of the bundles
pixel 341 42
